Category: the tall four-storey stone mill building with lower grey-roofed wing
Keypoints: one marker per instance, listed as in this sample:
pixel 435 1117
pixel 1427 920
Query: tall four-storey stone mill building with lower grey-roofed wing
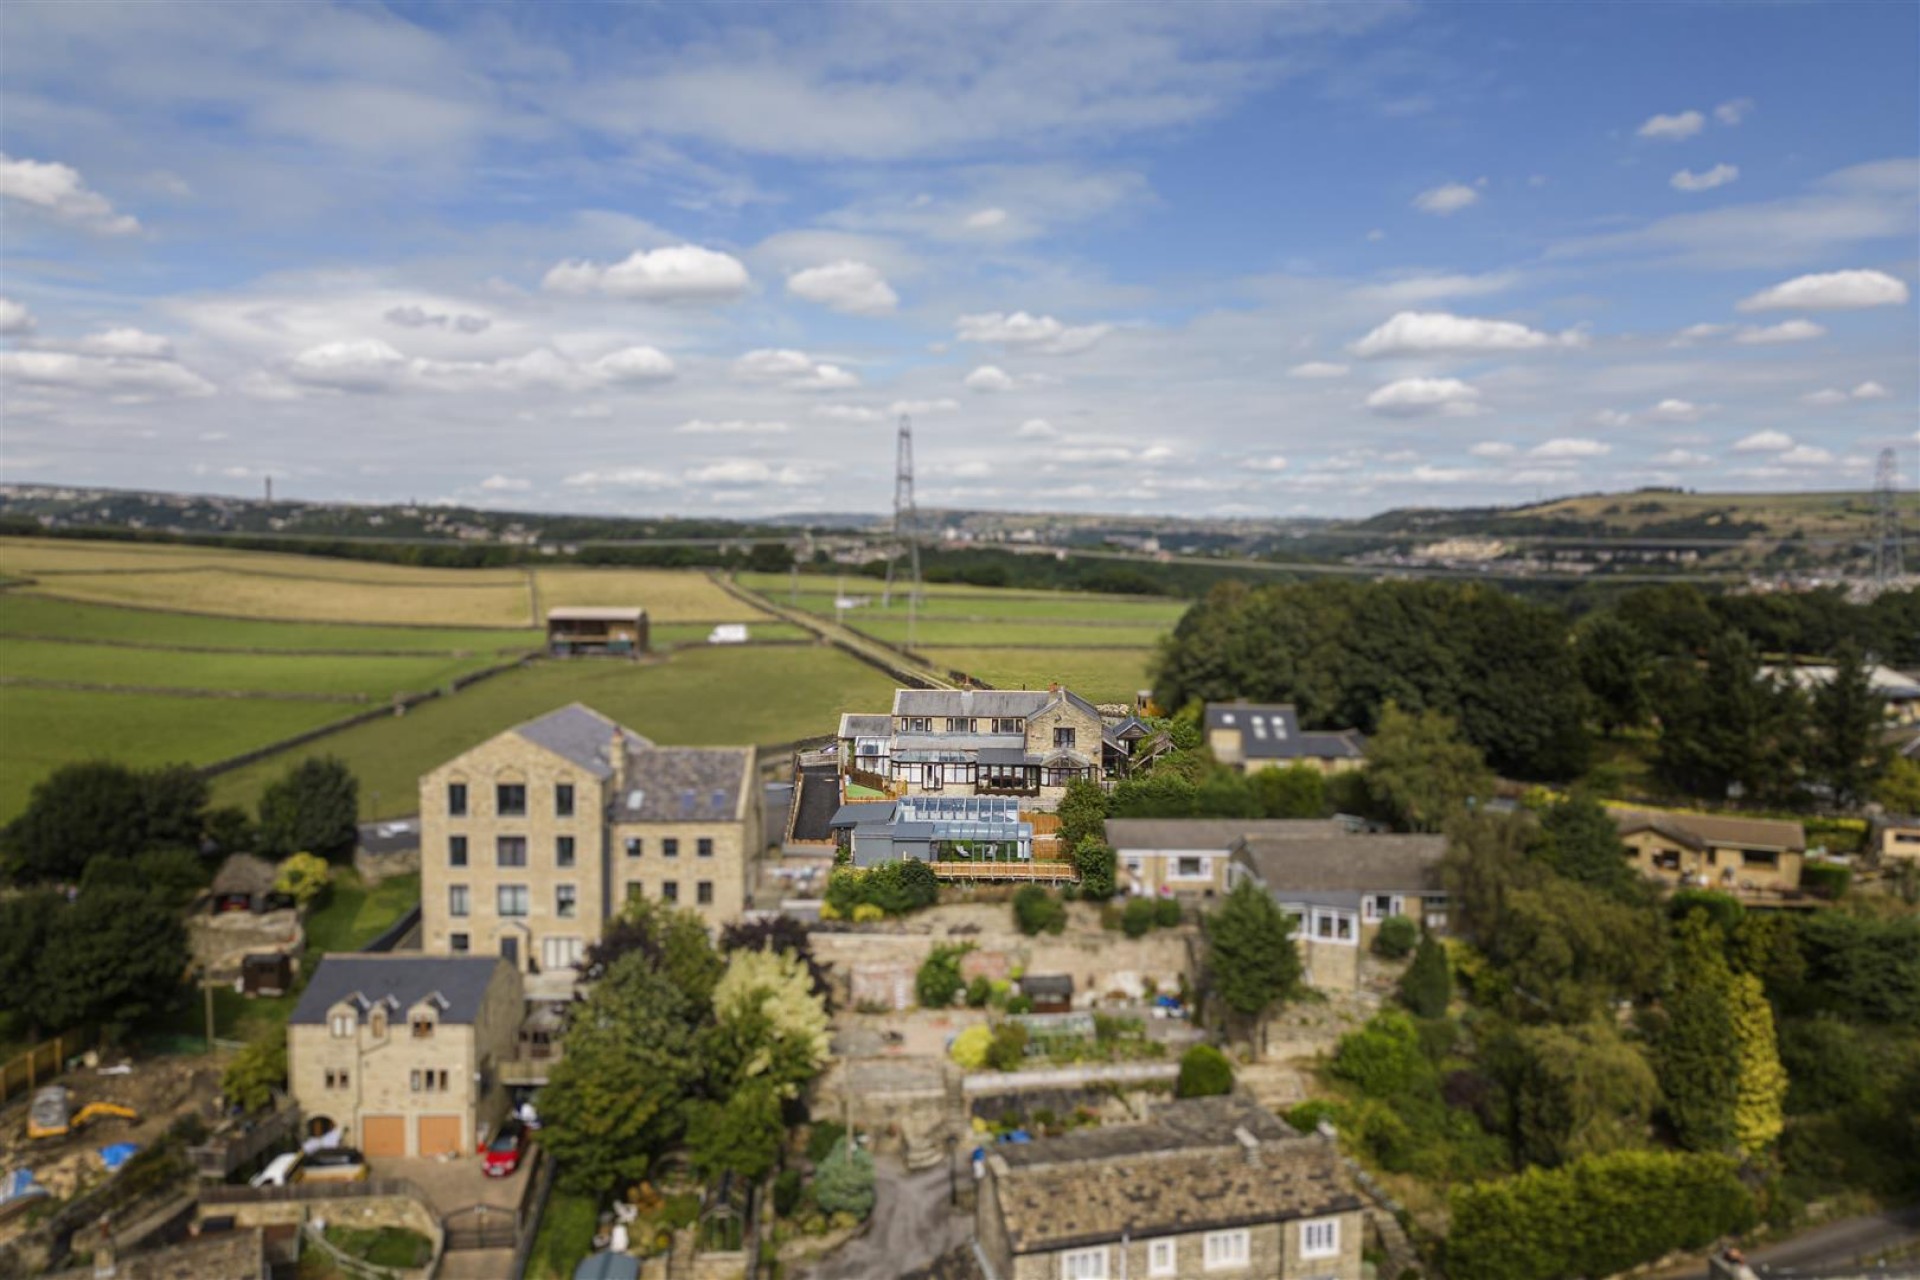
pixel 533 840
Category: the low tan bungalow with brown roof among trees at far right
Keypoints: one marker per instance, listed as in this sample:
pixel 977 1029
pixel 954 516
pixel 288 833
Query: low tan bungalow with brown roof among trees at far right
pixel 1744 855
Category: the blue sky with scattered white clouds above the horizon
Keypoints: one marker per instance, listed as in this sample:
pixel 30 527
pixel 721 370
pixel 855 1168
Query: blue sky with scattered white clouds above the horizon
pixel 1251 260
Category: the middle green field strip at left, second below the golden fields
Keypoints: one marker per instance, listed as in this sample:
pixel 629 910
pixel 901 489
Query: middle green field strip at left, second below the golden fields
pixel 245 673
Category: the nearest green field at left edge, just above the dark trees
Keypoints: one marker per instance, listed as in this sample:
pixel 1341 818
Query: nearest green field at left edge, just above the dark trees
pixel 47 728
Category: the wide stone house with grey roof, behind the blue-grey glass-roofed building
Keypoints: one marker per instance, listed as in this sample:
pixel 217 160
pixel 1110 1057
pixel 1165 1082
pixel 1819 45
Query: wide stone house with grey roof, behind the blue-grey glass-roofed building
pixel 982 742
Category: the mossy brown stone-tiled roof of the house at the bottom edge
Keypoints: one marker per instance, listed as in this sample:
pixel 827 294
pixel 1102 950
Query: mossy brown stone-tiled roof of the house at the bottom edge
pixel 1188 1170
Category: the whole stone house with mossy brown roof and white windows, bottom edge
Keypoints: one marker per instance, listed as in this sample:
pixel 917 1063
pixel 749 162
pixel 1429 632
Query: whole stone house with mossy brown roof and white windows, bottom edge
pixel 1207 1187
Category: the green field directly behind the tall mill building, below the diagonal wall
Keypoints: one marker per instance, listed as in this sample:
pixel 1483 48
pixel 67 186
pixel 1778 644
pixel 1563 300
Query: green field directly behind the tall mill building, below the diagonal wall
pixel 698 698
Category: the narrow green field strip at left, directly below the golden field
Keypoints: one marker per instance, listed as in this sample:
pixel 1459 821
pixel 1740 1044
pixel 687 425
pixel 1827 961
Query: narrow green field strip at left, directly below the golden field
pixel 47 617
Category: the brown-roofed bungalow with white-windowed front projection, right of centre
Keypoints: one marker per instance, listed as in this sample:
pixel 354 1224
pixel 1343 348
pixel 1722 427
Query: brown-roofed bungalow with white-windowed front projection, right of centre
pixel 1339 889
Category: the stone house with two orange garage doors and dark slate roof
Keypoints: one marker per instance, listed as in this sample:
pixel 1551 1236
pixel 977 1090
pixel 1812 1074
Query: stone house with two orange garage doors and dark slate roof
pixel 402 1053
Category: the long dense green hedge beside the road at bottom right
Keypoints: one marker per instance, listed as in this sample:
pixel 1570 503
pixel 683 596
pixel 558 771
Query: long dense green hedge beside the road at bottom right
pixel 1595 1218
